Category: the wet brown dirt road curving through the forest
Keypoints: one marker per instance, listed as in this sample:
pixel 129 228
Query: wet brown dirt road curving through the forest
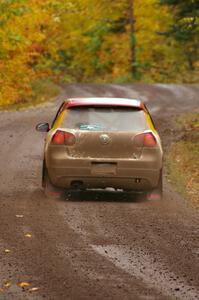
pixel 97 245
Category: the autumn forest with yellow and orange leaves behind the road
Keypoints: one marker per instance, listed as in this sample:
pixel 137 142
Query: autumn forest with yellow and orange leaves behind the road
pixel 122 41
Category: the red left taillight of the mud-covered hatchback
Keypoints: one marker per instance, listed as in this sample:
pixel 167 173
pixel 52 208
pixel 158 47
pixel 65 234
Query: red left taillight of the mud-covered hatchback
pixel 63 138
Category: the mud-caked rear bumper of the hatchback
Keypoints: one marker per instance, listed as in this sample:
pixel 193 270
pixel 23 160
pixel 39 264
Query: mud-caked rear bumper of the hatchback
pixel 128 174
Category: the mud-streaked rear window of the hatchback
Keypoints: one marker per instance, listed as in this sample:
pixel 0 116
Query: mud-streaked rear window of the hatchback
pixel 105 118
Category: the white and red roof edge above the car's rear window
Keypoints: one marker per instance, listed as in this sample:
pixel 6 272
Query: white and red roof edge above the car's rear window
pixel 102 101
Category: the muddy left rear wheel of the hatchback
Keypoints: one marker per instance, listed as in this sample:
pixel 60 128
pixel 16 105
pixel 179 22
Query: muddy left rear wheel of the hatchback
pixel 50 190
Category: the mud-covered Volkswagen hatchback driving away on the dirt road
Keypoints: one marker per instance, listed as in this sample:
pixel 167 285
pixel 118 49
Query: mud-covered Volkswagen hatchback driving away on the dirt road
pixel 100 143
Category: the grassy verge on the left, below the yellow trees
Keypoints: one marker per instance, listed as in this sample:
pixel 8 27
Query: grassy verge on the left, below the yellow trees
pixel 42 90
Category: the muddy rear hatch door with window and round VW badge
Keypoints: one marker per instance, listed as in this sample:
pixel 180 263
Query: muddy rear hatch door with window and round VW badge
pixel 105 132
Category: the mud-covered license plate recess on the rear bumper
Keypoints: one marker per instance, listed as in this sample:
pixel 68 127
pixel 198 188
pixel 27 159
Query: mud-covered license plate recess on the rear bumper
pixel 101 168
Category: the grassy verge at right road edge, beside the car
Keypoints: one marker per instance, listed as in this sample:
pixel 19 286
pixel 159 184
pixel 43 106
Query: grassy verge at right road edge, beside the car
pixel 182 158
